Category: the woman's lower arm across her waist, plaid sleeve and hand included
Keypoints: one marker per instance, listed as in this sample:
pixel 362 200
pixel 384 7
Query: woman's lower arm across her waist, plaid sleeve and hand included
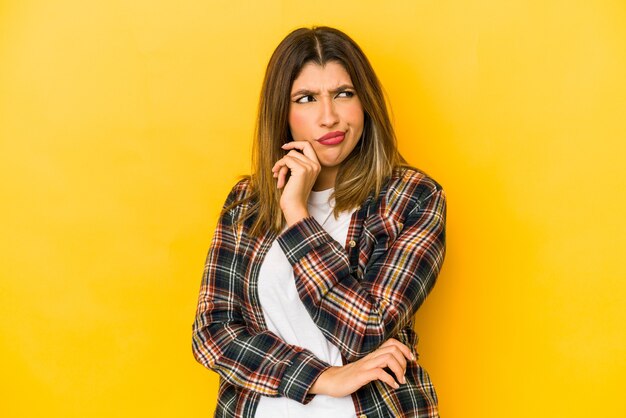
pixel 261 361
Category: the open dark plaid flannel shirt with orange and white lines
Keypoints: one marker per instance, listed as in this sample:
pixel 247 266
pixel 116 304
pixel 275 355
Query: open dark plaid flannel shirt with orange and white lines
pixel 359 295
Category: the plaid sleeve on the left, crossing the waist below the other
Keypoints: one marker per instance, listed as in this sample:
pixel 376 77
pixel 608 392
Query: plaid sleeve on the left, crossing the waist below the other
pixel 222 341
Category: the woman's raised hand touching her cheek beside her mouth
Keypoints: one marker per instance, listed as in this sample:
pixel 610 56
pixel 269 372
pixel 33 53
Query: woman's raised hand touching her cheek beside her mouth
pixel 304 168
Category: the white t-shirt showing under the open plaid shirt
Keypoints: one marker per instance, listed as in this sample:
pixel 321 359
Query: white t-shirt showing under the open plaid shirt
pixel 287 317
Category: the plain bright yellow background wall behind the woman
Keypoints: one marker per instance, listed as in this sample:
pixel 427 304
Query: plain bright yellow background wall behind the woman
pixel 123 124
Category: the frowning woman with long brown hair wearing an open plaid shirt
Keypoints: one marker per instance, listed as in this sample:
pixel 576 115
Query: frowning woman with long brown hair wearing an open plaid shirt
pixel 321 257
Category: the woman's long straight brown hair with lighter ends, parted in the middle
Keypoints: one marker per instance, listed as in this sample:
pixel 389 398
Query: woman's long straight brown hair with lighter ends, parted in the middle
pixel 370 163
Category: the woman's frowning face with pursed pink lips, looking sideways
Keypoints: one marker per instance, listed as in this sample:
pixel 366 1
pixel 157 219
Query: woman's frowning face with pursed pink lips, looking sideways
pixel 325 111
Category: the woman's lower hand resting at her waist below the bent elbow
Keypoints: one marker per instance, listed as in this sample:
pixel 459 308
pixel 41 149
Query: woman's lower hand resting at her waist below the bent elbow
pixel 345 380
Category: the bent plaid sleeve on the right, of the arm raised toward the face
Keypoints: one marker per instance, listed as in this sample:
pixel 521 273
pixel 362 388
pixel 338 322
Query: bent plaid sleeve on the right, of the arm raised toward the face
pixel 358 315
